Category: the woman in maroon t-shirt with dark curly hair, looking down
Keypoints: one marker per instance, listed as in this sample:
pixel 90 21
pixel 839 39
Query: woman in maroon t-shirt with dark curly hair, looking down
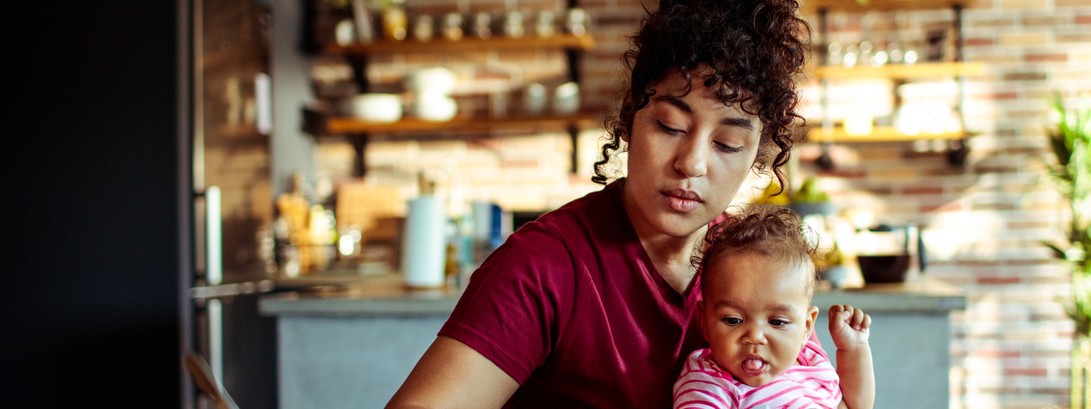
pixel 594 304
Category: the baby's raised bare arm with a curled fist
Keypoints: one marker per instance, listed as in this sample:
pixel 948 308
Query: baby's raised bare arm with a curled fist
pixel 850 329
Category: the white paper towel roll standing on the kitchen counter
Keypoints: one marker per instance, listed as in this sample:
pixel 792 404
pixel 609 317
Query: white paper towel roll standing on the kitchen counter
pixel 423 249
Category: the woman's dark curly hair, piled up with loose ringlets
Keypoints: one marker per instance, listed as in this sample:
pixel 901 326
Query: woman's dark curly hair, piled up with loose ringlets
pixel 756 49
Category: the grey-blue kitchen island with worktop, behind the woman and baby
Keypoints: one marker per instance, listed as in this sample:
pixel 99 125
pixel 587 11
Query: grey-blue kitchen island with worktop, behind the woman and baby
pixel 352 345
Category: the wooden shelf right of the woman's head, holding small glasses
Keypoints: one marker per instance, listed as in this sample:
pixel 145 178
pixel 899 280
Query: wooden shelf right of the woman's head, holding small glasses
pixel 925 70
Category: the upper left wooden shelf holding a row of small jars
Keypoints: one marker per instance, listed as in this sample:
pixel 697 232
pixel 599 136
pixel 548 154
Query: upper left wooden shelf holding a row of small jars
pixel 467 44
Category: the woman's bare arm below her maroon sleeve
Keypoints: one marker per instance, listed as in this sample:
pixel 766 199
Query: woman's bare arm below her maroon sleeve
pixel 454 376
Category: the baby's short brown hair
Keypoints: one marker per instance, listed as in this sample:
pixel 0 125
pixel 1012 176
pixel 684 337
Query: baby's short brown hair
pixel 772 232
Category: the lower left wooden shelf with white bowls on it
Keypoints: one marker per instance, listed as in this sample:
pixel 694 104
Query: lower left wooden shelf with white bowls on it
pixel 460 125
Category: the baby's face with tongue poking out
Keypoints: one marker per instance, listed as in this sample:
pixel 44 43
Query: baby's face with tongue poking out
pixel 758 316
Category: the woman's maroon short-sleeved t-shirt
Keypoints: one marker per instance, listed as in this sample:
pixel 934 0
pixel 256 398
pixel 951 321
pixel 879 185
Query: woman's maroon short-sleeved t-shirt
pixel 573 309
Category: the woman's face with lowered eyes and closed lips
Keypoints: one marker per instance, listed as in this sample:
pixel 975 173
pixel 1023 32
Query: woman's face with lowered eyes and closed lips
pixel 688 155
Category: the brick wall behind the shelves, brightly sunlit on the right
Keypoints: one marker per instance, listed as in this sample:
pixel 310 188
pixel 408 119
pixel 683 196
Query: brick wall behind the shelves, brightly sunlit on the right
pixel 981 222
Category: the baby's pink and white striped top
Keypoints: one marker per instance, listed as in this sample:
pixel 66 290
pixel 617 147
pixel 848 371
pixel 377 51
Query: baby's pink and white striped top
pixel 812 383
